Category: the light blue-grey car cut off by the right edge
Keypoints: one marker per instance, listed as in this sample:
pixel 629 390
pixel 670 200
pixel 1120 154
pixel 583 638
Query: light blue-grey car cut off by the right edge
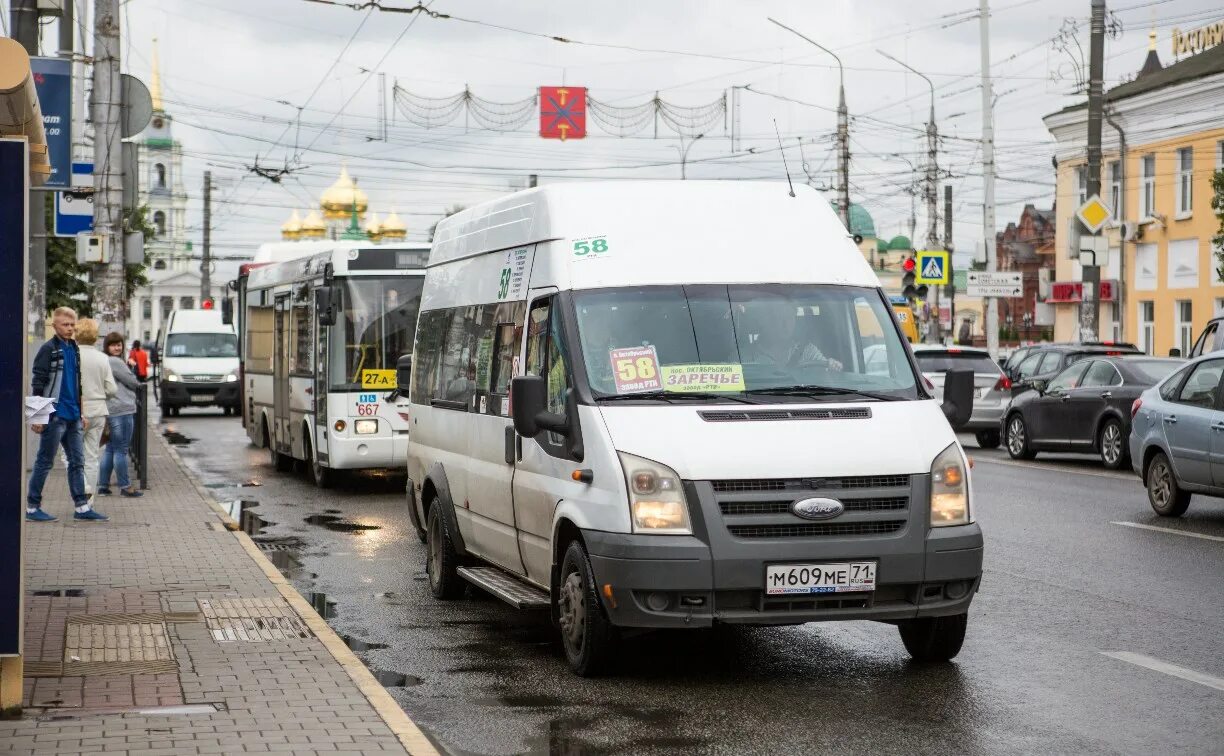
pixel 1178 440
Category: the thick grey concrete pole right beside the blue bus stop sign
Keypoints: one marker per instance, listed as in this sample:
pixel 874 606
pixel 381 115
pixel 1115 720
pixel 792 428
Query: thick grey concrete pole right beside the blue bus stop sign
pixel 110 306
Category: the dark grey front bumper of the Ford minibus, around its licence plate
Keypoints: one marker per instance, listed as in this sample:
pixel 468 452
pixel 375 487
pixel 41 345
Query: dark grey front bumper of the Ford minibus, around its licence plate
pixel 712 578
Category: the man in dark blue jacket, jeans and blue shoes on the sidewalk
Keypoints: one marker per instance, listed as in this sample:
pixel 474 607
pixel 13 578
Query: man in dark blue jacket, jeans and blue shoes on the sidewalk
pixel 57 376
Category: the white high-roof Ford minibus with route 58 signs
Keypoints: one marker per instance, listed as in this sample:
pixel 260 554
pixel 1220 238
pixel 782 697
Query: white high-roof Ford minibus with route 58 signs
pixel 679 404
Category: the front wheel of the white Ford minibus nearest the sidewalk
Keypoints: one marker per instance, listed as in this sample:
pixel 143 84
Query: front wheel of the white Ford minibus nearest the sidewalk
pixel 587 633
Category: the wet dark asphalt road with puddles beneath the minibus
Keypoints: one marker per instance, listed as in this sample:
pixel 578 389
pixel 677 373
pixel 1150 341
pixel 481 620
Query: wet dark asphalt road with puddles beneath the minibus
pixel 1064 584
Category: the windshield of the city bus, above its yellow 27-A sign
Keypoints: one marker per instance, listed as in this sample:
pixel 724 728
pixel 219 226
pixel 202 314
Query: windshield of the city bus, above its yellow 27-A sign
pixel 376 324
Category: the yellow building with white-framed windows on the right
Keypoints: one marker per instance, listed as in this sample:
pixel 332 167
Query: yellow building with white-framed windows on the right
pixel 1163 139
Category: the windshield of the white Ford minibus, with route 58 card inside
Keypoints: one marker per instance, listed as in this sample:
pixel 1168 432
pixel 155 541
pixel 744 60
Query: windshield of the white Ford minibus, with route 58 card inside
pixel 797 342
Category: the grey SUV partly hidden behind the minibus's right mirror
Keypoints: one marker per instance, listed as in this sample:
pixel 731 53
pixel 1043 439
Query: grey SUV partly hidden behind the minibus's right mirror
pixel 992 388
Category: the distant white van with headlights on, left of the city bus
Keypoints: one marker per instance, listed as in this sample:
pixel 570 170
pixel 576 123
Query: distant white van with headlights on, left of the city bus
pixel 196 363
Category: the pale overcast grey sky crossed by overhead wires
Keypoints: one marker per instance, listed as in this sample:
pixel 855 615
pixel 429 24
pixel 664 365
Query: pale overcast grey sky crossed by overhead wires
pixel 237 72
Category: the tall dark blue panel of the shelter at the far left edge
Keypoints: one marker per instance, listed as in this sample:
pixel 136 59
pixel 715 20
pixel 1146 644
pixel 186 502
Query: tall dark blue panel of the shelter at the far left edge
pixel 14 238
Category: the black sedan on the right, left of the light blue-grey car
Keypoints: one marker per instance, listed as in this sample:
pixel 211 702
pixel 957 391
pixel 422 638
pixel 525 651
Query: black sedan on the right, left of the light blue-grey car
pixel 1086 408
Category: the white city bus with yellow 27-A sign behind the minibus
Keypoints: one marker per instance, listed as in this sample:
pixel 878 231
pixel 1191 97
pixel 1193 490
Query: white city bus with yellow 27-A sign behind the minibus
pixel 320 341
